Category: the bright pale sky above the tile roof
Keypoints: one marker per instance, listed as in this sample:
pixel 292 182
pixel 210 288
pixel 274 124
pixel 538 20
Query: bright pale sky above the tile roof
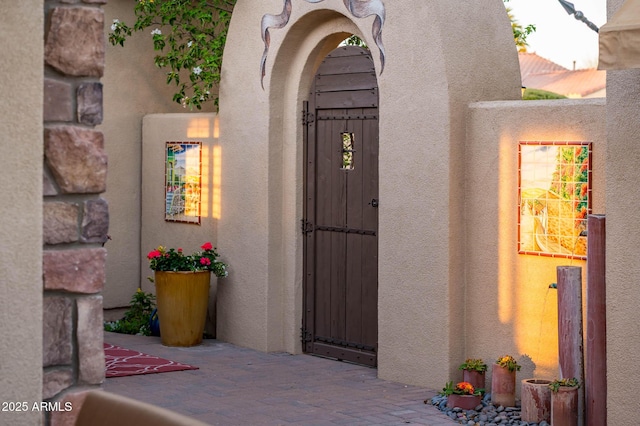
pixel 560 37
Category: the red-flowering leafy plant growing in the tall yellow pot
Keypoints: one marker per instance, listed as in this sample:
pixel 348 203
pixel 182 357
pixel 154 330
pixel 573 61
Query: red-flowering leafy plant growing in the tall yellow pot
pixel 174 260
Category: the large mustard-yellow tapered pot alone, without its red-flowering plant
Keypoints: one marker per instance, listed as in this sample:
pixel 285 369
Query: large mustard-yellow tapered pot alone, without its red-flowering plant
pixel 182 299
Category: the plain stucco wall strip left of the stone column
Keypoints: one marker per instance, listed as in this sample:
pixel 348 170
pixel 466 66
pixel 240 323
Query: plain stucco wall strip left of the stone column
pixel 21 210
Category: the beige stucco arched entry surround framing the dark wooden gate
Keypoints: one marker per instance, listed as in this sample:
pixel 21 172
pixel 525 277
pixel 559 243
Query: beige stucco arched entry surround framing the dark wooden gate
pixel 424 91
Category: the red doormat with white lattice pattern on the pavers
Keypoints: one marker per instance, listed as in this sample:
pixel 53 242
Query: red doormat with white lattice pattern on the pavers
pixel 125 362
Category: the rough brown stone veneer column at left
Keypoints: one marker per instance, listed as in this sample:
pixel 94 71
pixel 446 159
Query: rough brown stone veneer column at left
pixel 75 218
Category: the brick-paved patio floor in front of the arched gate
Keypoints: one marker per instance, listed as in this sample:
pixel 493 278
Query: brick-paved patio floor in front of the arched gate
pixel 239 386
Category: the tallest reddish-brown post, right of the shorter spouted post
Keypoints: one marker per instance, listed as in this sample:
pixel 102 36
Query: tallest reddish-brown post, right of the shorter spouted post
pixel 596 371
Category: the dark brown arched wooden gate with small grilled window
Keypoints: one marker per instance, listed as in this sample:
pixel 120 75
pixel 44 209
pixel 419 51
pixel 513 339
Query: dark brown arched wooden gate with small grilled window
pixel 340 216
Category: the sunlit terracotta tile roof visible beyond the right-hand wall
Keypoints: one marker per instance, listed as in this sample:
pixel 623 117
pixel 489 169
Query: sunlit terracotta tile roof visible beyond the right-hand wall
pixel 541 73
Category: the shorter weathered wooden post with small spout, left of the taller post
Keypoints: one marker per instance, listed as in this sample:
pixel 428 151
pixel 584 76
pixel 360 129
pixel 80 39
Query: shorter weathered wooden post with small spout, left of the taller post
pixel 570 346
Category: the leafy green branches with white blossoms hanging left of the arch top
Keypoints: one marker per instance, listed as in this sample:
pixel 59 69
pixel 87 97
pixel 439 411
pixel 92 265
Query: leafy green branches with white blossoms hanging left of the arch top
pixel 190 34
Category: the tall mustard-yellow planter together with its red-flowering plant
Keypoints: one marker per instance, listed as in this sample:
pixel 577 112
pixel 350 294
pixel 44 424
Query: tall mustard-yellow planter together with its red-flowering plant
pixel 182 291
